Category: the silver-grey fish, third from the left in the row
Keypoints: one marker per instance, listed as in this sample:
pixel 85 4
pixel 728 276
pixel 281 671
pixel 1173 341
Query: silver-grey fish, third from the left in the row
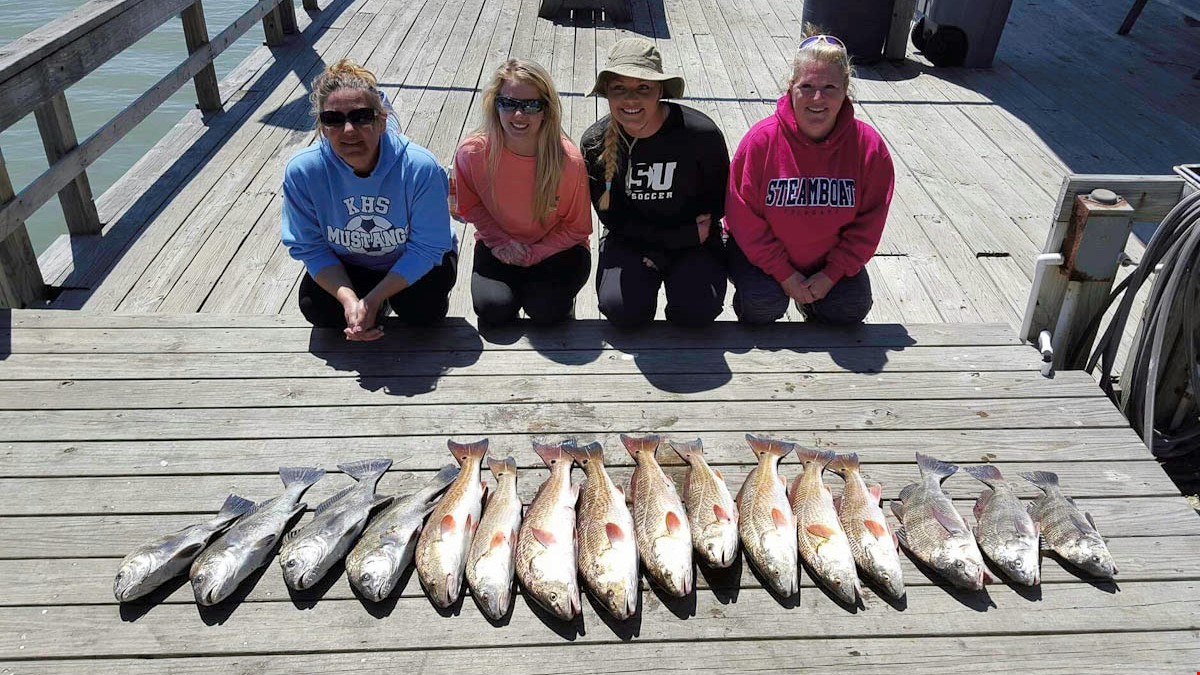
pixel 309 553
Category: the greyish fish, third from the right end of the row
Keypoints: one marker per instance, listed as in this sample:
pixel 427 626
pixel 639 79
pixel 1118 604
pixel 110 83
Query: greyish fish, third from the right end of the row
pixel 934 531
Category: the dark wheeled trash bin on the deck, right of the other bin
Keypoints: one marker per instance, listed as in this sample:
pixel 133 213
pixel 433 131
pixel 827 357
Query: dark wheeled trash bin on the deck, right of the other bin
pixel 961 33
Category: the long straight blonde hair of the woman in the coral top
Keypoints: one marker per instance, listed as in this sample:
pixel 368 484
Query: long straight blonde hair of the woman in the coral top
pixel 550 157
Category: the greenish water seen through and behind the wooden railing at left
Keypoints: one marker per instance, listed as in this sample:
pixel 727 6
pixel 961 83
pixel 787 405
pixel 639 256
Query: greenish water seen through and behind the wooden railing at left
pixel 100 97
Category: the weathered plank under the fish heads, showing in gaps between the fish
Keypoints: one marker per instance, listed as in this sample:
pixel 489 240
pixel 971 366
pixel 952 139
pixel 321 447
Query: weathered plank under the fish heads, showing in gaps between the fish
pixel 88 581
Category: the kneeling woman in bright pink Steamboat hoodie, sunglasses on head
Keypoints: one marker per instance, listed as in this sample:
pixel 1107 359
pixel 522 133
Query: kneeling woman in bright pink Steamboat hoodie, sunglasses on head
pixel 809 194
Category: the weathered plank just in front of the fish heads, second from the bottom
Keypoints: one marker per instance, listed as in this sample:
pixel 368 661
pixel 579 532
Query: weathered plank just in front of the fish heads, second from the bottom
pixel 263 628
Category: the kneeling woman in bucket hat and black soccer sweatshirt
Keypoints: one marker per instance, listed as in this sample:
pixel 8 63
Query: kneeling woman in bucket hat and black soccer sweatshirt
pixel 658 175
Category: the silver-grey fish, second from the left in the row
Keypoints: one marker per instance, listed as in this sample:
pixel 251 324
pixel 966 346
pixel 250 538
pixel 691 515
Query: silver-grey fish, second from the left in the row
pixel 249 545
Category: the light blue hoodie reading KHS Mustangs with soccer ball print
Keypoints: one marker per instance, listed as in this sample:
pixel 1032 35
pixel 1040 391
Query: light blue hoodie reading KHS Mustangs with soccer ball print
pixel 394 220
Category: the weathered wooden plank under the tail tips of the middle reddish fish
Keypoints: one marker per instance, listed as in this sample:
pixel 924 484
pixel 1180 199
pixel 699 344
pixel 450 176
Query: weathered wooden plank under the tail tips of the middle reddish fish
pixel 428 453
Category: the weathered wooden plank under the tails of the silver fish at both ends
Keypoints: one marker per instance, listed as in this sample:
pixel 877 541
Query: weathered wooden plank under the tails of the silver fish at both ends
pixel 199 494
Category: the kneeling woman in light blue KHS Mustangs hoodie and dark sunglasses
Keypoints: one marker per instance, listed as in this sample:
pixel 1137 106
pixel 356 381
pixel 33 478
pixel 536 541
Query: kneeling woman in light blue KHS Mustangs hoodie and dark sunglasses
pixel 365 211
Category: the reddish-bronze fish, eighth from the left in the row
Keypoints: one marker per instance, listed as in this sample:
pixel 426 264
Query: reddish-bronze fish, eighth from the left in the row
pixel 608 552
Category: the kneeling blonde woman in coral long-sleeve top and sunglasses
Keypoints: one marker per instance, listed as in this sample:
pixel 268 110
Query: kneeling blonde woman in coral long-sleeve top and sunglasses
pixel 523 184
